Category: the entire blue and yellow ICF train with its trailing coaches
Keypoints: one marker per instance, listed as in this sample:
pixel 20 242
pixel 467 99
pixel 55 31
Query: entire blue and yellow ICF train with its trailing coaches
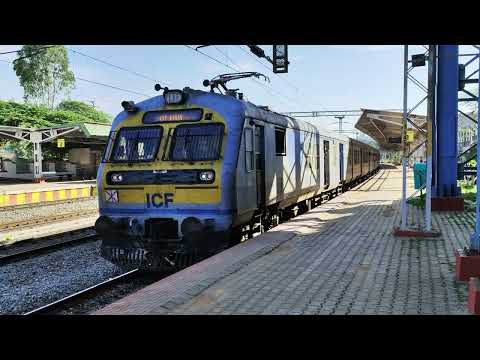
pixel 189 173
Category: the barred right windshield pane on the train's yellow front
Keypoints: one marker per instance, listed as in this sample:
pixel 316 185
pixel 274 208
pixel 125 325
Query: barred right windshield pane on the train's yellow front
pixel 197 142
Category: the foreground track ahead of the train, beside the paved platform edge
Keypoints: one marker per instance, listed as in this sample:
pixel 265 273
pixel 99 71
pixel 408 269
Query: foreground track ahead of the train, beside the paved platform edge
pixel 92 292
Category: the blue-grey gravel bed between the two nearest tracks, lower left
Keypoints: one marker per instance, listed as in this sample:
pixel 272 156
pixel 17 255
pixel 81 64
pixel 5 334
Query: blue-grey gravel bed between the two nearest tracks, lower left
pixel 31 283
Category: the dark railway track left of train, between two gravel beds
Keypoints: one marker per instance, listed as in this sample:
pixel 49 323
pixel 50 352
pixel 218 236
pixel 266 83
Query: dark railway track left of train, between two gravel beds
pixel 26 248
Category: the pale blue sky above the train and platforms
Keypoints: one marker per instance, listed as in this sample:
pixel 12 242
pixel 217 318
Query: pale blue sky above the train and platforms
pixel 320 77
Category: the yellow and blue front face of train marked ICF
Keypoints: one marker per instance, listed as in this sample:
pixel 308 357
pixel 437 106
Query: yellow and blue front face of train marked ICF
pixel 160 185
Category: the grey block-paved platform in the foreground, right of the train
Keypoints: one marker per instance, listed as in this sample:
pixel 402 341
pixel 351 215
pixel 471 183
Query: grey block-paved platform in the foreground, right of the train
pixel 339 258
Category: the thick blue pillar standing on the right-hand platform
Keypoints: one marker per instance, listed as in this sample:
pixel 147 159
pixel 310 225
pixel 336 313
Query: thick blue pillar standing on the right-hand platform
pixel 447 122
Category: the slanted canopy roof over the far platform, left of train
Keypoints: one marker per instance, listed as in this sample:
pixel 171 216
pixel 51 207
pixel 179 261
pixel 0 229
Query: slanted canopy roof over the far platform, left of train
pixel 77 133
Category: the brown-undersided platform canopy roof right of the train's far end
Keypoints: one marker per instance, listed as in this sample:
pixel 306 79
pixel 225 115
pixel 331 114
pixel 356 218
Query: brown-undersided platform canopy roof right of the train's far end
pixel 386 127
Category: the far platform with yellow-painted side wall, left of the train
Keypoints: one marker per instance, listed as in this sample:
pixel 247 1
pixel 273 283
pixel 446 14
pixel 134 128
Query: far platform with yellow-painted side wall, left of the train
pixel 13 194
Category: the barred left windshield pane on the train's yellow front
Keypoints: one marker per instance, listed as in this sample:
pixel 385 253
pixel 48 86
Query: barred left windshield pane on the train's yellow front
pixel 137 144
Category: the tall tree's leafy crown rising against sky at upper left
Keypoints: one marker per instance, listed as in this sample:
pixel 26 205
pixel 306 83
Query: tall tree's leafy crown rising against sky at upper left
pixel 44 73
